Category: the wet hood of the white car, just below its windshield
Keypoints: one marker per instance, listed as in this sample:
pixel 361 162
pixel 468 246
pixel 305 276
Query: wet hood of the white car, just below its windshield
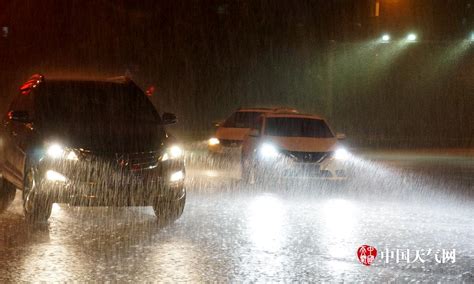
pixel 304 144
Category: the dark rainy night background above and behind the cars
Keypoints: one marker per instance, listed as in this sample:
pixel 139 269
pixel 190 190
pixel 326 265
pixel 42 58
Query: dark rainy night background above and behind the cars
pixel 206 58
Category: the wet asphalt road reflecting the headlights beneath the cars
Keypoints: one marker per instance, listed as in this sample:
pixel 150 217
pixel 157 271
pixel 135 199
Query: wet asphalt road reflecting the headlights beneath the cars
pixel 282 231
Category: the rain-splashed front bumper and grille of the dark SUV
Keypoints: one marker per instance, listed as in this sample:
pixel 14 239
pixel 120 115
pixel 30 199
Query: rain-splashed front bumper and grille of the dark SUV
pixel 100 184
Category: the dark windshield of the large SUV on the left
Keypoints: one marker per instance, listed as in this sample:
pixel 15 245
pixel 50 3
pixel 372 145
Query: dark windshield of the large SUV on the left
pixel 98 103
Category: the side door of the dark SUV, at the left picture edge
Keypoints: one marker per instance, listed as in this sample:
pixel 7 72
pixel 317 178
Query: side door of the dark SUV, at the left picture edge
pixel 16 137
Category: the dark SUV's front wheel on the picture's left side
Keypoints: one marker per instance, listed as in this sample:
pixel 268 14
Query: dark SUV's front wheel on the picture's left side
pixel 36 205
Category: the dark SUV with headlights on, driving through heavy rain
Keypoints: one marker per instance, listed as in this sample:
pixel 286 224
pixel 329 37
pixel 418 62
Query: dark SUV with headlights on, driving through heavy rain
pixel 89 143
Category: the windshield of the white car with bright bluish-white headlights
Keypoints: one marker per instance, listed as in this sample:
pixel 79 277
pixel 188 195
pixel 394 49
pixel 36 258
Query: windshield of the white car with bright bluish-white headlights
pixel 297 127
